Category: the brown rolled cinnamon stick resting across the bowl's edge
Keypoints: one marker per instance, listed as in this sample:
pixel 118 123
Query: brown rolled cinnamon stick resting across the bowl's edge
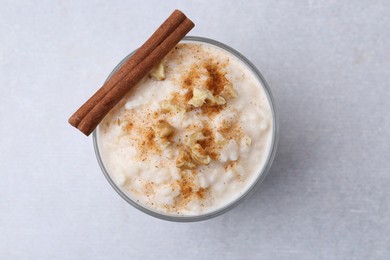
pixel 88 116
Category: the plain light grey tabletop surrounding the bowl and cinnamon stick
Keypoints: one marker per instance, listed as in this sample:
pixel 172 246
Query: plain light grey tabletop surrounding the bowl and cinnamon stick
pixel 327 195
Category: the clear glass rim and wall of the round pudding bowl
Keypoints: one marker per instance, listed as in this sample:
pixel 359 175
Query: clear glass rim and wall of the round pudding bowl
pixel 255 184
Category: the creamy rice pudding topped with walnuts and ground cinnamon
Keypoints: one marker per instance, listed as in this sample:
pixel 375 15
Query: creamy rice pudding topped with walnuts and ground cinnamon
pixel 191 137
